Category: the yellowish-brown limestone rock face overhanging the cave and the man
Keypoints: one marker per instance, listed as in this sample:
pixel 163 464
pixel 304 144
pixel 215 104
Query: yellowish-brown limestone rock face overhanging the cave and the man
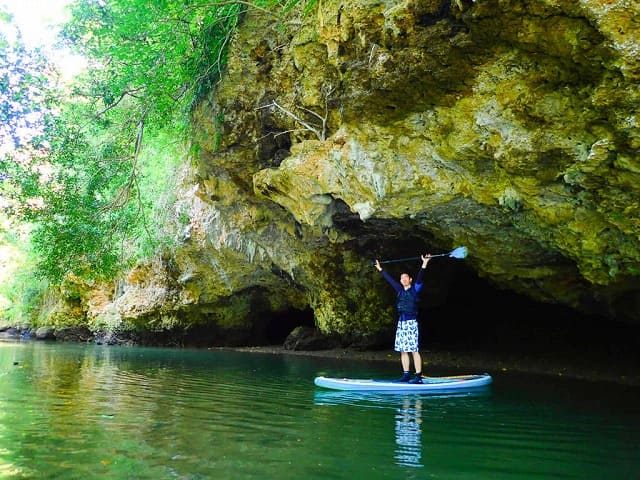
pixel 378 129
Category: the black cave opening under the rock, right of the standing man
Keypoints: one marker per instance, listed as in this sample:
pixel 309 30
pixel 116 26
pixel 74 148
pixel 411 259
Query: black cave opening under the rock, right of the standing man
pixel 475 315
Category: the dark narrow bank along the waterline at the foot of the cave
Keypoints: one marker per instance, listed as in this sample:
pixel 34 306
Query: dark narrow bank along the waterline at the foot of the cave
pixel 577 366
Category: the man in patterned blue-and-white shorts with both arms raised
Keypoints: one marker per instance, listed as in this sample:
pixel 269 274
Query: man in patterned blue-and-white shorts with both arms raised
pixel 406 341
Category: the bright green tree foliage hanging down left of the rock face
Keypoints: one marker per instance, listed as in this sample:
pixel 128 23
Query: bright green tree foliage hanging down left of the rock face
pixel 91 183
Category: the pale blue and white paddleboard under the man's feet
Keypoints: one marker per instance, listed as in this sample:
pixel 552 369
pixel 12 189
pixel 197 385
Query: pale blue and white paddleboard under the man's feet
pixel 428 385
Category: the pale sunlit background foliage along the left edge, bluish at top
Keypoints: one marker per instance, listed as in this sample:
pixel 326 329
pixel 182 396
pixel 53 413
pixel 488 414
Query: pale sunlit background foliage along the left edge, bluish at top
pixel 26 81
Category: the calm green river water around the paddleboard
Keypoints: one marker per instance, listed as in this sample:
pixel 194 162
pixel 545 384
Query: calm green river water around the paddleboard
pixel 71 411
